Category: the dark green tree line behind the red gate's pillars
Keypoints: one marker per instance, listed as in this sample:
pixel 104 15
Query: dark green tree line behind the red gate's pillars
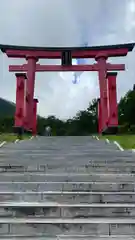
pixel 84 122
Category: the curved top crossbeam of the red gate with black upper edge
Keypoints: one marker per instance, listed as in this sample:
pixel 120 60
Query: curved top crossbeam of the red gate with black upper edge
pixel 76 52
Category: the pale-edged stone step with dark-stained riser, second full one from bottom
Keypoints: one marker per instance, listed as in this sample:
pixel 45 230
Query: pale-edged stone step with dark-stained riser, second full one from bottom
pixel 64 210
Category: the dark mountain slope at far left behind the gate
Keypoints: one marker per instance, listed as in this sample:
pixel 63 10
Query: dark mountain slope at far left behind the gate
pixel 7 108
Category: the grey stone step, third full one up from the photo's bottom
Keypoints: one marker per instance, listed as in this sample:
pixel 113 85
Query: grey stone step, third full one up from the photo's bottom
pixel 69 197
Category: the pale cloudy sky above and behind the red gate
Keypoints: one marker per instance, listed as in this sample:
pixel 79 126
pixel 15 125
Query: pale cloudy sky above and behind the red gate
pixel 66 23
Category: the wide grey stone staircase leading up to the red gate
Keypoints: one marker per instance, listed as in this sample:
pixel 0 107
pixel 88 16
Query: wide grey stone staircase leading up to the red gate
pixel 66 188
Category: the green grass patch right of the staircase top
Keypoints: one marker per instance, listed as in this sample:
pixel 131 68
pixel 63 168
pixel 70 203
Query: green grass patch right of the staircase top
pixel 126 141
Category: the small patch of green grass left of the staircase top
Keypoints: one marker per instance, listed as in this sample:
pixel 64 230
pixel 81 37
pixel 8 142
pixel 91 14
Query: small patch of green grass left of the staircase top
pixel 10 137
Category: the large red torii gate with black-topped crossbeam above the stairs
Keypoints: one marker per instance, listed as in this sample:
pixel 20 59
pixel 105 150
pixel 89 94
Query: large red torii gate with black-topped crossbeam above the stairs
pixel 99 53
